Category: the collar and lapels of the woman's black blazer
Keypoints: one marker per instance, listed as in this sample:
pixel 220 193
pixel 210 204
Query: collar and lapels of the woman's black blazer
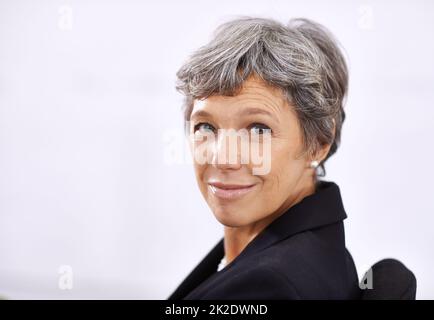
pixel 319 209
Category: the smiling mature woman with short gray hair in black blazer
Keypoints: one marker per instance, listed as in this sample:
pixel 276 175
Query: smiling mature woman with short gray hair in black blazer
pixel 283 227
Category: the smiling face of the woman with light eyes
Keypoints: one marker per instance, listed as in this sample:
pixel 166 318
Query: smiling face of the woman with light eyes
pixel 236 195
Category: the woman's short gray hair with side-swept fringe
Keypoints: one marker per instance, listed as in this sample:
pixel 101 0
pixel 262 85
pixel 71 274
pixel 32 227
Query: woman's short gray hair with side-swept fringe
pixel 302 59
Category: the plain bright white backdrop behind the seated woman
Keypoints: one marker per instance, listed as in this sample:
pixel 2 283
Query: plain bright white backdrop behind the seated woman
pixel 87 113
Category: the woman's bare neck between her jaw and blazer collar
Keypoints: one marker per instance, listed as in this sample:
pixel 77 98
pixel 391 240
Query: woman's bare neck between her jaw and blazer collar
pixel 237 238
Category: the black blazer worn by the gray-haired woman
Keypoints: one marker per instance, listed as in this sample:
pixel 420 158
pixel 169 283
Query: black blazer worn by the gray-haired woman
pixel 300 255
